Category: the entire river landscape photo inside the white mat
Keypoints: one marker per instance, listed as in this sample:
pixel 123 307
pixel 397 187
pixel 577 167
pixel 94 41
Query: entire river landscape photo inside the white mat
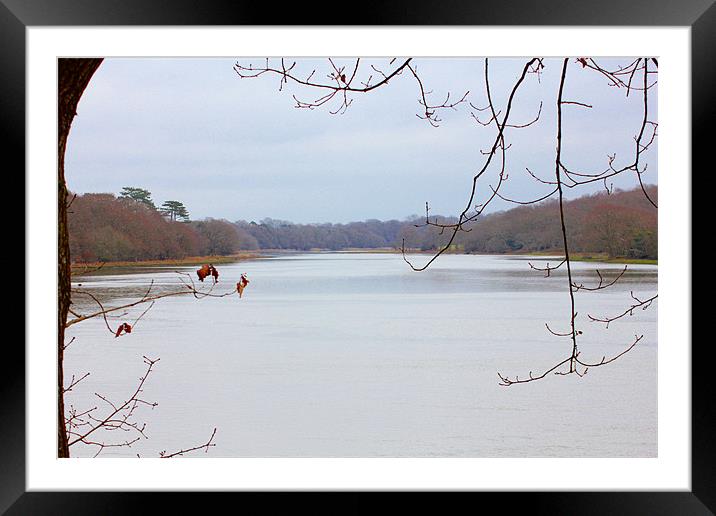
pixel 358 257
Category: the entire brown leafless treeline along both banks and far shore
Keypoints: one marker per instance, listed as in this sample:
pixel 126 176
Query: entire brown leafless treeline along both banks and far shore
pixel 621 224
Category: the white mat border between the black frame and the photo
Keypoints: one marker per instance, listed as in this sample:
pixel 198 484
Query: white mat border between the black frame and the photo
pixel 671 470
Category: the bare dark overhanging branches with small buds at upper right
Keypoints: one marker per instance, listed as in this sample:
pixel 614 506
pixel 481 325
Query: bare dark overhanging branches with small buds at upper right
pixel 337 89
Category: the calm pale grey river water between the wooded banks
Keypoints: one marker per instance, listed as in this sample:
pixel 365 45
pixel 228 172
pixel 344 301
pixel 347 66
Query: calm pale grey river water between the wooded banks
pixel 356 355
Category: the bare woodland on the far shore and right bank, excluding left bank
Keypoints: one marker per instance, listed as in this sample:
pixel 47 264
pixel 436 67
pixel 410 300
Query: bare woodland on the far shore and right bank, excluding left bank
pixel 621 224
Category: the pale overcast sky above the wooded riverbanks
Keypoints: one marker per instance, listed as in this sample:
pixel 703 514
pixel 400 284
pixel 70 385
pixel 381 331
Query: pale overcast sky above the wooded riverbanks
pixel 192 130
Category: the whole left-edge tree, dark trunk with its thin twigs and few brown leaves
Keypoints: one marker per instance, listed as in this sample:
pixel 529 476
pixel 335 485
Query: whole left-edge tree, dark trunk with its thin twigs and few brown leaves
pixel 89 426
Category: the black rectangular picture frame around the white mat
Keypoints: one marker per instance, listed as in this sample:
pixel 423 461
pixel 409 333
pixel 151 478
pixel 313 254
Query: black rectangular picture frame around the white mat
pixel 17 15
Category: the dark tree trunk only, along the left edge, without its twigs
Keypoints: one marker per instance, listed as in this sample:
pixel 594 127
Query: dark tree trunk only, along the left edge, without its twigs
pixel 73 77
